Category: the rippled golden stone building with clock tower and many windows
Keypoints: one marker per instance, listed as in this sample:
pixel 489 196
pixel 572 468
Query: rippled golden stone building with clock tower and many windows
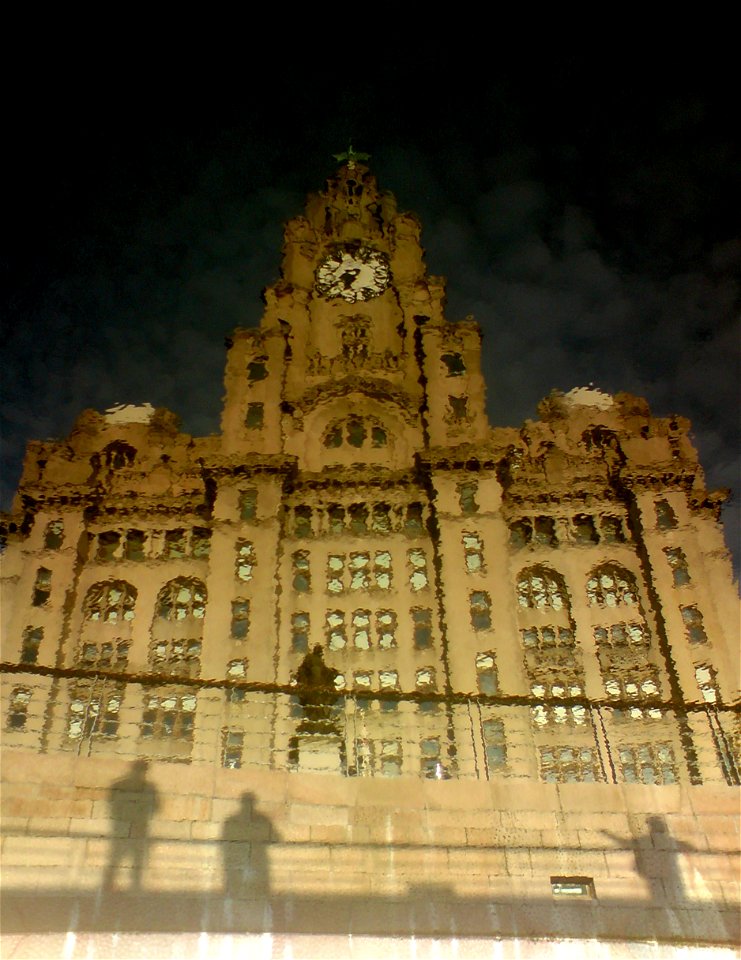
pixel 161 591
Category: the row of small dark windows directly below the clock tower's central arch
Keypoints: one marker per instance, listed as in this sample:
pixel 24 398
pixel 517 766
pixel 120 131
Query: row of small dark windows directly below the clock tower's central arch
pixel 356 519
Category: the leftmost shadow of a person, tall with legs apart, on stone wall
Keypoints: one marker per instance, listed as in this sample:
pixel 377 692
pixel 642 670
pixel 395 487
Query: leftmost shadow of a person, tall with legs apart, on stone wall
pixel 132 801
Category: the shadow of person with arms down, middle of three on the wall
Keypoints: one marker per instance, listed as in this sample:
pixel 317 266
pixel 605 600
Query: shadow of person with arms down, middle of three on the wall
pixel 245 838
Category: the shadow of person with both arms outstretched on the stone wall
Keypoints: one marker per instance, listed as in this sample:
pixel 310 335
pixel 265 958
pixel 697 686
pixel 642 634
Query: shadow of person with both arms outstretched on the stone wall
pixel 656 860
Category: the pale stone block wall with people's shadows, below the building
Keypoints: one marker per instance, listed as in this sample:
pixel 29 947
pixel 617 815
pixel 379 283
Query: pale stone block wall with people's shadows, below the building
pixel 269 854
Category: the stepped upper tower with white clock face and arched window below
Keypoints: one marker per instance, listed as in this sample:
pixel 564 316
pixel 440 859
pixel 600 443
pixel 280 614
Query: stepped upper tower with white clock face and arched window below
pixel 353 331
